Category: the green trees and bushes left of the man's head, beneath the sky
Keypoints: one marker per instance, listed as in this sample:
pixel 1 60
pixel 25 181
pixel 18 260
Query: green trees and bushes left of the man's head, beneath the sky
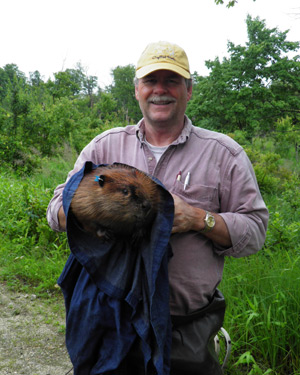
pixel 38 118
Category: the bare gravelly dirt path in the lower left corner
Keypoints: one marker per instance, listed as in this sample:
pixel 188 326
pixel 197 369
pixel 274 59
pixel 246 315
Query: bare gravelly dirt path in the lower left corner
pixel 32 339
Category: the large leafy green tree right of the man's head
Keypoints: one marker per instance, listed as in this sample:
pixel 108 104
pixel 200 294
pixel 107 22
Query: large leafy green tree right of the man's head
pixel 254 87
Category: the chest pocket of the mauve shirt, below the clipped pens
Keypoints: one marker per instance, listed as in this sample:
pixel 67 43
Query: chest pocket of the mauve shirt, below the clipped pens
pixel 205 197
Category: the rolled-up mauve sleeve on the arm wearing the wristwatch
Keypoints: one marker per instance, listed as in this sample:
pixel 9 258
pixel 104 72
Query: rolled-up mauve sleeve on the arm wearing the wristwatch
pixel 243 209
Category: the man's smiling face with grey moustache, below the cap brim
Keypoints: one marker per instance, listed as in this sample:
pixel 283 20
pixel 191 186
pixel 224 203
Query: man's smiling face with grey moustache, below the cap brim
pixel 163 96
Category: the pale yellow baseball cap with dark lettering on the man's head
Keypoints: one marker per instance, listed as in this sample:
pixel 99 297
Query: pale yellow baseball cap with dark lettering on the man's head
pixel 163 56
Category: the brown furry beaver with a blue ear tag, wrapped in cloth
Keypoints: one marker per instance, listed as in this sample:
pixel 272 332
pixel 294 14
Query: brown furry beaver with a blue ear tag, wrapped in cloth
pixel 116 201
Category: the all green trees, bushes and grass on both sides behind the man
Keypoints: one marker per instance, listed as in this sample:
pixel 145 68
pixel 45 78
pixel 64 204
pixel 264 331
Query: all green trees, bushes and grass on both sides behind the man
pixel 253 95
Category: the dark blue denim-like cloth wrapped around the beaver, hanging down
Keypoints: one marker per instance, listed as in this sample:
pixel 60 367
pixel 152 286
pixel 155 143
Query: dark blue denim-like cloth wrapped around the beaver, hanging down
pixel 114 294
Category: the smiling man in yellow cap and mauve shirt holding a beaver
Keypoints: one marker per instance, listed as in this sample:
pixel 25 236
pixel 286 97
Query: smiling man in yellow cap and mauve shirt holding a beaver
pixel 219 210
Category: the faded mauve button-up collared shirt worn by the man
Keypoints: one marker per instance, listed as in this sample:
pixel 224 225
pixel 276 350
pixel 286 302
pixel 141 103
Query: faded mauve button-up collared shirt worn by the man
pixel 222 180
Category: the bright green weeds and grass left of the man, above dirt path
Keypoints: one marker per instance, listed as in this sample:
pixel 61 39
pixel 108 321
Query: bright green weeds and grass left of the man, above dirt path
pixel 30 252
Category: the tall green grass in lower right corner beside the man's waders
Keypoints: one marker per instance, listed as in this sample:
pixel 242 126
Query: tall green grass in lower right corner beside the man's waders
pixel 263 311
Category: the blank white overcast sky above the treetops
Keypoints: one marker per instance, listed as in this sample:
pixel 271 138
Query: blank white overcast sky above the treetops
pixel 50 36
